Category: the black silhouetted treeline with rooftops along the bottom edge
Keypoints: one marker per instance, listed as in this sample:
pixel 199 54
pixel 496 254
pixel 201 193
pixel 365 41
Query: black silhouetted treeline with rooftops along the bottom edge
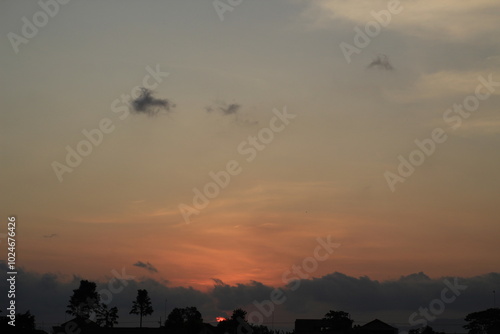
pixel 93 316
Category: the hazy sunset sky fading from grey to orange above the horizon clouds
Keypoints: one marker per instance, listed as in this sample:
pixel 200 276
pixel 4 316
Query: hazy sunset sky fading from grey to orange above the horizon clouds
pixel 205 145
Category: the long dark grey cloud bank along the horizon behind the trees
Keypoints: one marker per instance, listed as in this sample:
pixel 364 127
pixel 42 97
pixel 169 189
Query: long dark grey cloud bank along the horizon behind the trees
pixel 46 296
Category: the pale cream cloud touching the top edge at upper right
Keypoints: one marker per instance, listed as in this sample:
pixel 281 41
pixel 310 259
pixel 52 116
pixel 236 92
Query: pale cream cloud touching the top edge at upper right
pixel 427 19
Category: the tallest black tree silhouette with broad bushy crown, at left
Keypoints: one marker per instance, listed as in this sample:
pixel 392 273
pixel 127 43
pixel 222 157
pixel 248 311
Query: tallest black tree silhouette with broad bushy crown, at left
pixel 84 300
